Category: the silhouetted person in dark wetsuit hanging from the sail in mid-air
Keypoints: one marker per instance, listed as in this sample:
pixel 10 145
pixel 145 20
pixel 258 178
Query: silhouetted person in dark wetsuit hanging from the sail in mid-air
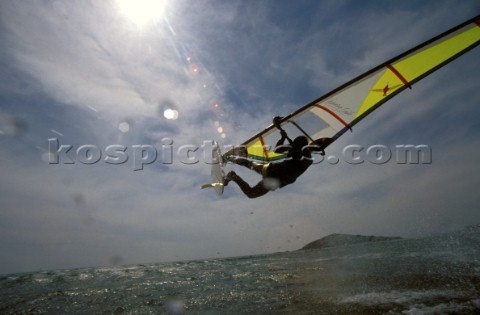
pixel 276 174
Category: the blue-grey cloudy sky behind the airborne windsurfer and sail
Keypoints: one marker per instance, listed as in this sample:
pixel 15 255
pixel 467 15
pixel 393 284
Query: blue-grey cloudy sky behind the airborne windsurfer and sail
pixel 97 74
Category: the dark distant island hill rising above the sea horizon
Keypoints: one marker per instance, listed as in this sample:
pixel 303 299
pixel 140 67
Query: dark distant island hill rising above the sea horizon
pixel 334 240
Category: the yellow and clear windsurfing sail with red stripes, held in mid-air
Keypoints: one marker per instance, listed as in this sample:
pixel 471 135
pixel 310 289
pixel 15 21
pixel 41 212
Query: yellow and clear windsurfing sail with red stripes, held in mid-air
pixel 333 114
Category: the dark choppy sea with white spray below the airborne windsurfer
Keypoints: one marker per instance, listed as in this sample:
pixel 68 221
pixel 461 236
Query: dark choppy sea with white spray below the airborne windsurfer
pixel 432 275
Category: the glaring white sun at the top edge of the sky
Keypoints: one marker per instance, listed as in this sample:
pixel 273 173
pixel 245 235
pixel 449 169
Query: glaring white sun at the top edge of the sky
pixel 141 12
